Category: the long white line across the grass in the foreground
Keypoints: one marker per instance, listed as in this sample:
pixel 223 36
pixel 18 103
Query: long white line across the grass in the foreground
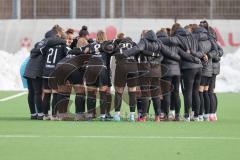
pixel 123 137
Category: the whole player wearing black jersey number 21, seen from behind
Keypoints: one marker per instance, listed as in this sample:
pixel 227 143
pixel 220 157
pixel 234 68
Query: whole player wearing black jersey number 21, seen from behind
pixel 54 50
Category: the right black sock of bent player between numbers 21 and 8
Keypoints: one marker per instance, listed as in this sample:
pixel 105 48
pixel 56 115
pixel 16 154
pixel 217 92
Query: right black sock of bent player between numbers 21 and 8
pixel 80 103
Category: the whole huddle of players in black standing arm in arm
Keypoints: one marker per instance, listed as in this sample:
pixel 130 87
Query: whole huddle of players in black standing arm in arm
pixel 99 75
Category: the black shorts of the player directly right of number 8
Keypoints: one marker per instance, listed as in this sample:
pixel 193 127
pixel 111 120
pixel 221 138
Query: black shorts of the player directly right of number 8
pixel 126 73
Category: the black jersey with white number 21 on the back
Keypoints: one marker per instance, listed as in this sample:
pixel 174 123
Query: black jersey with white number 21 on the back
pixel 55 50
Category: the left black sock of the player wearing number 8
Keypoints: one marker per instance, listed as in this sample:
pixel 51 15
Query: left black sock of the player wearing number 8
pixel 91 102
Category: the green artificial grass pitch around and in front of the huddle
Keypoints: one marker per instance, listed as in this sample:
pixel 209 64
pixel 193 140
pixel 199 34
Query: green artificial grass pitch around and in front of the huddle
pixel 23 139
